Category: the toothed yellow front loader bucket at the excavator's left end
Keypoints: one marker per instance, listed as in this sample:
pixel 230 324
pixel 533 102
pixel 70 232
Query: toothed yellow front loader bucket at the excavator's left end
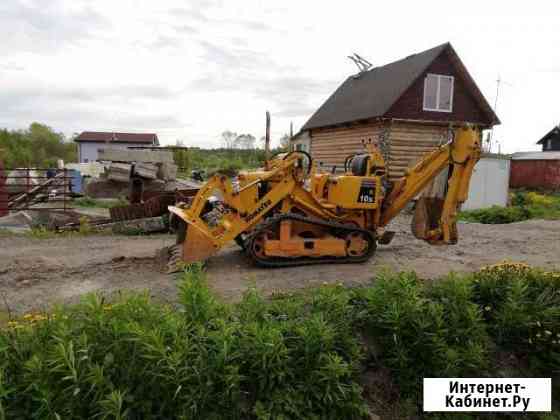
pixel 192 244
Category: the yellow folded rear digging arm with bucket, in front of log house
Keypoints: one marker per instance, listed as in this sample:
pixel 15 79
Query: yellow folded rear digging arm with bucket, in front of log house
pixel 435 220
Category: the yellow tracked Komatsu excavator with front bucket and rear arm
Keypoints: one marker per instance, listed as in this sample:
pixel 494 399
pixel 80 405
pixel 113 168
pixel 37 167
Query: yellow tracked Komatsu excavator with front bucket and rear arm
pixel 292 213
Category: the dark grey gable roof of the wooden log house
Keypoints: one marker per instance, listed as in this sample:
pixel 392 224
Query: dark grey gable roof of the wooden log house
pixel 372 93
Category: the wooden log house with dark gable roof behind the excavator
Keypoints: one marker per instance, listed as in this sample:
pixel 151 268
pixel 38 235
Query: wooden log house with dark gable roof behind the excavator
pixel 406 107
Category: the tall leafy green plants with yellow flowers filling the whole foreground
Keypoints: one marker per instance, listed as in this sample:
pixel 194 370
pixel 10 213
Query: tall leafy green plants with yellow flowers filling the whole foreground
pixel 290 357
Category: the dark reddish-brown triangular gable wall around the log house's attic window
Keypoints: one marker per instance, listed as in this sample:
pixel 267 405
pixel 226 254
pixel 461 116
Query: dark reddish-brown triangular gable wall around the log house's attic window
pixel 465 108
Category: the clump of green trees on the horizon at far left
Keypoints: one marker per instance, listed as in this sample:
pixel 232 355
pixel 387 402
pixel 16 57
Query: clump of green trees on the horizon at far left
pixel 38 146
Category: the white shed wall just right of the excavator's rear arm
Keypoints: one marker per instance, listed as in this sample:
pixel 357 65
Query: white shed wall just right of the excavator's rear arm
pixel 489 184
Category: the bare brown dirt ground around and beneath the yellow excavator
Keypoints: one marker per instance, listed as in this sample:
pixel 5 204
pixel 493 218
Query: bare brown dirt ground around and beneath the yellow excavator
pixel 35 273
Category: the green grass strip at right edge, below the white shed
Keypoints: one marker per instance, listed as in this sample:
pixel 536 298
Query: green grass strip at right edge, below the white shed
pixel 525 205
